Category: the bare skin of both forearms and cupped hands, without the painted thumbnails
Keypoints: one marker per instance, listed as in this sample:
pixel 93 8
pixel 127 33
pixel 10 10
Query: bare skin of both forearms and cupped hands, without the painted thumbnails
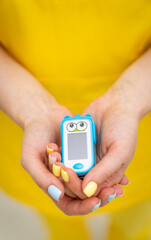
pixel 39 115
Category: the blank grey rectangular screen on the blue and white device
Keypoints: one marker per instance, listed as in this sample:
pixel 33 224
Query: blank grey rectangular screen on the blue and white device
pixel 77 146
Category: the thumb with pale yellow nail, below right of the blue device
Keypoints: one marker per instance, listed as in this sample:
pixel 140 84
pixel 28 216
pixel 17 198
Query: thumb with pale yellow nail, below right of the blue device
pixel 109 164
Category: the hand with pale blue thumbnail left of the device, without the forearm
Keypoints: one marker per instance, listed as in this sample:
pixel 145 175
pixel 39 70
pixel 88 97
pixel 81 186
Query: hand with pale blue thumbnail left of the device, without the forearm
pixel 38 133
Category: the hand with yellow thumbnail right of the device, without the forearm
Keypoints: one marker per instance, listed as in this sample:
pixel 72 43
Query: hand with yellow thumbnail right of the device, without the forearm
pixel 117 130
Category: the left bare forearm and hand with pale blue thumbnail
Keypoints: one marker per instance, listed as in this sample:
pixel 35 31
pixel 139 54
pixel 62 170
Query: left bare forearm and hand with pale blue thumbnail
pixel 36 111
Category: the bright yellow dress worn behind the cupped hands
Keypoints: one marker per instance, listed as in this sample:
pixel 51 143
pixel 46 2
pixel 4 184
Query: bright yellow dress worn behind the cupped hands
pixel 77 49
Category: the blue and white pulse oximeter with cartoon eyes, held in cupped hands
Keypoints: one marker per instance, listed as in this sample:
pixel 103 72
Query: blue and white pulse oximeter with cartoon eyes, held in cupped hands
pixel 78 138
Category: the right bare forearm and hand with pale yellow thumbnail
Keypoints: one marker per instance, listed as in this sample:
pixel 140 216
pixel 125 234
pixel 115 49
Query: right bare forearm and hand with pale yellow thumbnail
pixel 117 115
